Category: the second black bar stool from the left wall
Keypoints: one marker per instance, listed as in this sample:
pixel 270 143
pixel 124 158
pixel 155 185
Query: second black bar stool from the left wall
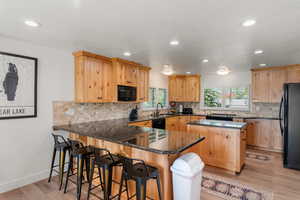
pixel 82 155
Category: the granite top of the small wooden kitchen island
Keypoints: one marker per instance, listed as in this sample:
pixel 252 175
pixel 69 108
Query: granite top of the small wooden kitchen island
pixel 218 123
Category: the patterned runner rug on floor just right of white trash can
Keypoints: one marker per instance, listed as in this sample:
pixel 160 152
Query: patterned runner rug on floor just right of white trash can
pixel 229 189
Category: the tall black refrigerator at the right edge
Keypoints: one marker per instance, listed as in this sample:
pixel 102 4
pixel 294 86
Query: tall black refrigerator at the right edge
pixel 289 115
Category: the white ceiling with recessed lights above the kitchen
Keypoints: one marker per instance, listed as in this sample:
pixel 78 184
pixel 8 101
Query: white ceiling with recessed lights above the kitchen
pixel 205 28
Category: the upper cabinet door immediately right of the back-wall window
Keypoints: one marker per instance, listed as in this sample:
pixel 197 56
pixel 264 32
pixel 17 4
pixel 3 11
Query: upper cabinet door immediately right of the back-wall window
pixel 260 86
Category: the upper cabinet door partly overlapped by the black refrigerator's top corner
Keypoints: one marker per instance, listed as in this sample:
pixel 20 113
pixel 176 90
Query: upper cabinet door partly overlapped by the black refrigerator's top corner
pixel 277 79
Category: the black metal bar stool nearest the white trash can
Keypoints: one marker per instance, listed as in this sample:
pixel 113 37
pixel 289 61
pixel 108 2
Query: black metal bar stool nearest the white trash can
pixel 137 170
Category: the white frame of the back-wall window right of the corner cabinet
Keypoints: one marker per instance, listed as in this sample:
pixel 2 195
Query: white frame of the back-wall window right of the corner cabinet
pixel 202 105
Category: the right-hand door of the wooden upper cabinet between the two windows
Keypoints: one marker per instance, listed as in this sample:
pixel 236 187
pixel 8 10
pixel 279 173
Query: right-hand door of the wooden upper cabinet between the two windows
pixel 192 88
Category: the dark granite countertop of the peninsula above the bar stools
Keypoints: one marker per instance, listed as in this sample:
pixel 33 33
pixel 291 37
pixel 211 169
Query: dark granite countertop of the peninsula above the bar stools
pixel 148 139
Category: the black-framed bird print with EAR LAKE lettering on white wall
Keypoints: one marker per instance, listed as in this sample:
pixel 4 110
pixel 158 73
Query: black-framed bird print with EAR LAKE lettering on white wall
pixel 18 86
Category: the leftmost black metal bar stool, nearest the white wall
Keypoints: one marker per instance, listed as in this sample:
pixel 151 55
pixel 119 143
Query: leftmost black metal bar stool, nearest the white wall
pixel 61 145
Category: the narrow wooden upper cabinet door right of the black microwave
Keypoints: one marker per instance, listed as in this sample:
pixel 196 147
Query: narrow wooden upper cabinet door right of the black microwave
pixel 143 85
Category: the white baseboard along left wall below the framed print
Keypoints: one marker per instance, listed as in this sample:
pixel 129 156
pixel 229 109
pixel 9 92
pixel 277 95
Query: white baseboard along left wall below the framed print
pixel 24 181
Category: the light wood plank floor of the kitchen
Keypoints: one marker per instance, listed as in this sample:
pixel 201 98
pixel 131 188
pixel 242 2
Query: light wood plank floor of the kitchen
pixel 270 176
